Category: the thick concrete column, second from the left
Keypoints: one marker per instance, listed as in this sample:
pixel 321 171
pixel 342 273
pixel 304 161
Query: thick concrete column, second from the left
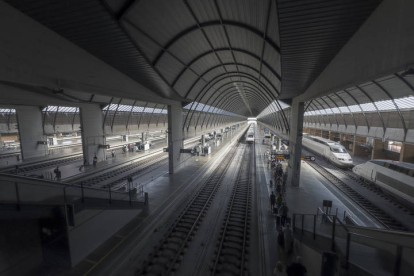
pixel 92 132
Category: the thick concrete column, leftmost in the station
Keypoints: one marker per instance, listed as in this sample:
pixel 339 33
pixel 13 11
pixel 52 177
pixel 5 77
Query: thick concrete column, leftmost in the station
pixel 29 120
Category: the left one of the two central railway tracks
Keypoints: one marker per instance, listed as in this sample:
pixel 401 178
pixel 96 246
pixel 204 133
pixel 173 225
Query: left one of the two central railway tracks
pixel 167 255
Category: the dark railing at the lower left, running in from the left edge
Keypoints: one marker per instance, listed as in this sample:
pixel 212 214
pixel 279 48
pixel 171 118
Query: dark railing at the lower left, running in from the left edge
pixel 20 190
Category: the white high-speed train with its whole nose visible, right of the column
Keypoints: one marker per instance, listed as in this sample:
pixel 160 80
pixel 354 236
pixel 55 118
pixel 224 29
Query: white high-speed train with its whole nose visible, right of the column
pixel 333 151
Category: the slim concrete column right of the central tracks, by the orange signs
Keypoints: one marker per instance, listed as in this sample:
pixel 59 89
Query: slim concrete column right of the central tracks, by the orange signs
pixel 295 142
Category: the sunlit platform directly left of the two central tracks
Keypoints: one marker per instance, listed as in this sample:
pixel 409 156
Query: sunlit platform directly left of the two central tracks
pixel 165 193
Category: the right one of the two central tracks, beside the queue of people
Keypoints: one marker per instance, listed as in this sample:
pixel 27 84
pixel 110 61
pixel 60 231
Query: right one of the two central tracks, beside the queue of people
pixel 231 254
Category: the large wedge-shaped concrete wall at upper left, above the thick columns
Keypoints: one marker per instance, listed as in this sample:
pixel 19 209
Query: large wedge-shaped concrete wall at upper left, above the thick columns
pixel 36 56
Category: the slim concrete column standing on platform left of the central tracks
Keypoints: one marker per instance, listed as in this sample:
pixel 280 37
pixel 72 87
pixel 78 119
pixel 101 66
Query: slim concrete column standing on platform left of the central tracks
pixel 175 136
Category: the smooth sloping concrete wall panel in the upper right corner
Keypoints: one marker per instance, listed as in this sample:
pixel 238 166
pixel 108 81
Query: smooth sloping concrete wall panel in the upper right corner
pixel 382 46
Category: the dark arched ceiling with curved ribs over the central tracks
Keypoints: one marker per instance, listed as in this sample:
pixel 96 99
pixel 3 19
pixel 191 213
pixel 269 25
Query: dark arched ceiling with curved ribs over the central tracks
pixel 236 55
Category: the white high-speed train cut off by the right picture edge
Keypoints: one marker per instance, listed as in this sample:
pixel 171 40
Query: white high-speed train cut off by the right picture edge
pixel 393 176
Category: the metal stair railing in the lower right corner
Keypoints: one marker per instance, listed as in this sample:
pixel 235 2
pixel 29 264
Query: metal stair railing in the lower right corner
pixel 376 251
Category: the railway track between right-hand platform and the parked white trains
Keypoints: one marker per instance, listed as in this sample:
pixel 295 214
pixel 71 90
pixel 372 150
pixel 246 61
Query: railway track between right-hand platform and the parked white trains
pixel 376 212
